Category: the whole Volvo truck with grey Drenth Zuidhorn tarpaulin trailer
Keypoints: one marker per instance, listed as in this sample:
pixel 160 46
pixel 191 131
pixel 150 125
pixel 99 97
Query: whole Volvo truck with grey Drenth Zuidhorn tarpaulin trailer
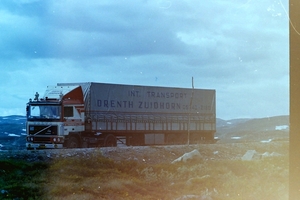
pixel 90 114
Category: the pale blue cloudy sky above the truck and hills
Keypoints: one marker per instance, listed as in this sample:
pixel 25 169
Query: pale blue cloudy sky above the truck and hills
pixel 237 47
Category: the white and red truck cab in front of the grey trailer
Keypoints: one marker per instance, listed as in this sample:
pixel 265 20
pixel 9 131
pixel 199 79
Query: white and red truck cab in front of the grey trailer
pixel 51 120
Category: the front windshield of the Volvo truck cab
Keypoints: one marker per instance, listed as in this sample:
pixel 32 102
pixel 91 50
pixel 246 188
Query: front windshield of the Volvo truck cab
pixel 52 112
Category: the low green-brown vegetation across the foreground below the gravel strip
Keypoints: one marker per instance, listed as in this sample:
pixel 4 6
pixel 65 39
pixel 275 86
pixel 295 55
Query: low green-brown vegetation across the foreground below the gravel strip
pixel 96 177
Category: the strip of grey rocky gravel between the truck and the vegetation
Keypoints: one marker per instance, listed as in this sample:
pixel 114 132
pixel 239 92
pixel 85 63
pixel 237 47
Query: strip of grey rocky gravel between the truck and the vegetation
pixel 157 154
